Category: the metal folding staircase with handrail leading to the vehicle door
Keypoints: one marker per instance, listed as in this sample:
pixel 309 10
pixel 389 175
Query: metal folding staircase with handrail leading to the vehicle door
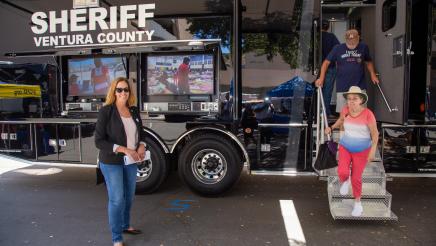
pixel 376 201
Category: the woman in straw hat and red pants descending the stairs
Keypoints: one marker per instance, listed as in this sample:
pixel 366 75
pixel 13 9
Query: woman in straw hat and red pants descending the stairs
pixel 358 144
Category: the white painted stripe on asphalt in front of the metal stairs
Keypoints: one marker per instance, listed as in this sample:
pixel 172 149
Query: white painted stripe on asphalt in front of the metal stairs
pixel 292 223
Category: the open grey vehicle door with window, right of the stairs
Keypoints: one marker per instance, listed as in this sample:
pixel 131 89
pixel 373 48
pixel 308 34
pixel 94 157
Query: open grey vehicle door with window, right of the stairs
pixel 392 61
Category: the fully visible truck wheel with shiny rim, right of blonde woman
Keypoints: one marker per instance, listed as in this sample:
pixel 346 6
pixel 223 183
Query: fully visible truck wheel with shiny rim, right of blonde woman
pixel 210 165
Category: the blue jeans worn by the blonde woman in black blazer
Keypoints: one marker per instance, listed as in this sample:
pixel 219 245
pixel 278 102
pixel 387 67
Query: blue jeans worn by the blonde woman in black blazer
pixel 120 182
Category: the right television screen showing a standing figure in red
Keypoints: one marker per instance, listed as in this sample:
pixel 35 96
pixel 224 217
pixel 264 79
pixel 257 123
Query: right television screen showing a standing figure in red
pixel 191 74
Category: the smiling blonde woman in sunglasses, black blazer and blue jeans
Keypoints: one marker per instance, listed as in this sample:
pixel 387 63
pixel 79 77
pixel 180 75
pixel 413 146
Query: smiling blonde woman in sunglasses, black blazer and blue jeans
pixel 120 139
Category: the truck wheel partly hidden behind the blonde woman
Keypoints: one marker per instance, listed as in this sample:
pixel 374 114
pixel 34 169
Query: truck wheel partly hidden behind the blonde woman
pixel 151 174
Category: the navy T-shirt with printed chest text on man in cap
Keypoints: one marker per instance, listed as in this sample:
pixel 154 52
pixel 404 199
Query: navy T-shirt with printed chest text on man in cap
pixel 350 66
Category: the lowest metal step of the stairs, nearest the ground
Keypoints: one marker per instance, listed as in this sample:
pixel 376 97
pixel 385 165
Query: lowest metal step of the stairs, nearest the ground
pixel 372 210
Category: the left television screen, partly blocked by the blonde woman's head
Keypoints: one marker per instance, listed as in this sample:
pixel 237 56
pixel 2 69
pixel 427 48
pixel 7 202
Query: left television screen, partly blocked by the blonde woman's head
pixel 92 76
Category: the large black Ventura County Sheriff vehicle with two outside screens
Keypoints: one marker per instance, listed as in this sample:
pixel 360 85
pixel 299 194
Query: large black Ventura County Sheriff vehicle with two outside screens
pixel 220 84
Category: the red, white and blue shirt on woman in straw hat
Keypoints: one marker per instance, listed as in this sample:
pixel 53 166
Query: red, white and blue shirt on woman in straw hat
pixel 357 136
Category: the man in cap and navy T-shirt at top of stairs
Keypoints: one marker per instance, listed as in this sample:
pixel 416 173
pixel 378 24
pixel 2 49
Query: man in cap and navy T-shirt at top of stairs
pixel 349 58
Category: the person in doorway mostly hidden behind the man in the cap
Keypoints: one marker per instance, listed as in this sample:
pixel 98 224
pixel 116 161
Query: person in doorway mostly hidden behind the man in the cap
pixel 328 41
